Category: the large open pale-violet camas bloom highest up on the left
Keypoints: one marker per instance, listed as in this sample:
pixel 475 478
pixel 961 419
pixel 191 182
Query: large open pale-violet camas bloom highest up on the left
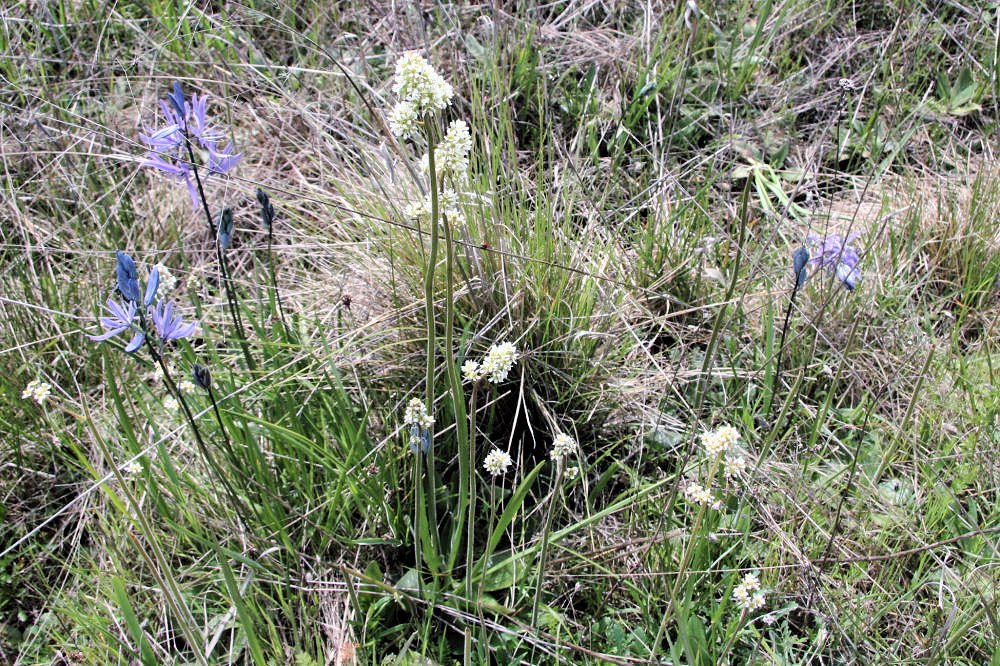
pixel 185 119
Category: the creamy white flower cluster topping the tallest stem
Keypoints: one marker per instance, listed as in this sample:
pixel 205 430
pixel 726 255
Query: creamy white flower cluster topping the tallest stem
pixel 421 90
